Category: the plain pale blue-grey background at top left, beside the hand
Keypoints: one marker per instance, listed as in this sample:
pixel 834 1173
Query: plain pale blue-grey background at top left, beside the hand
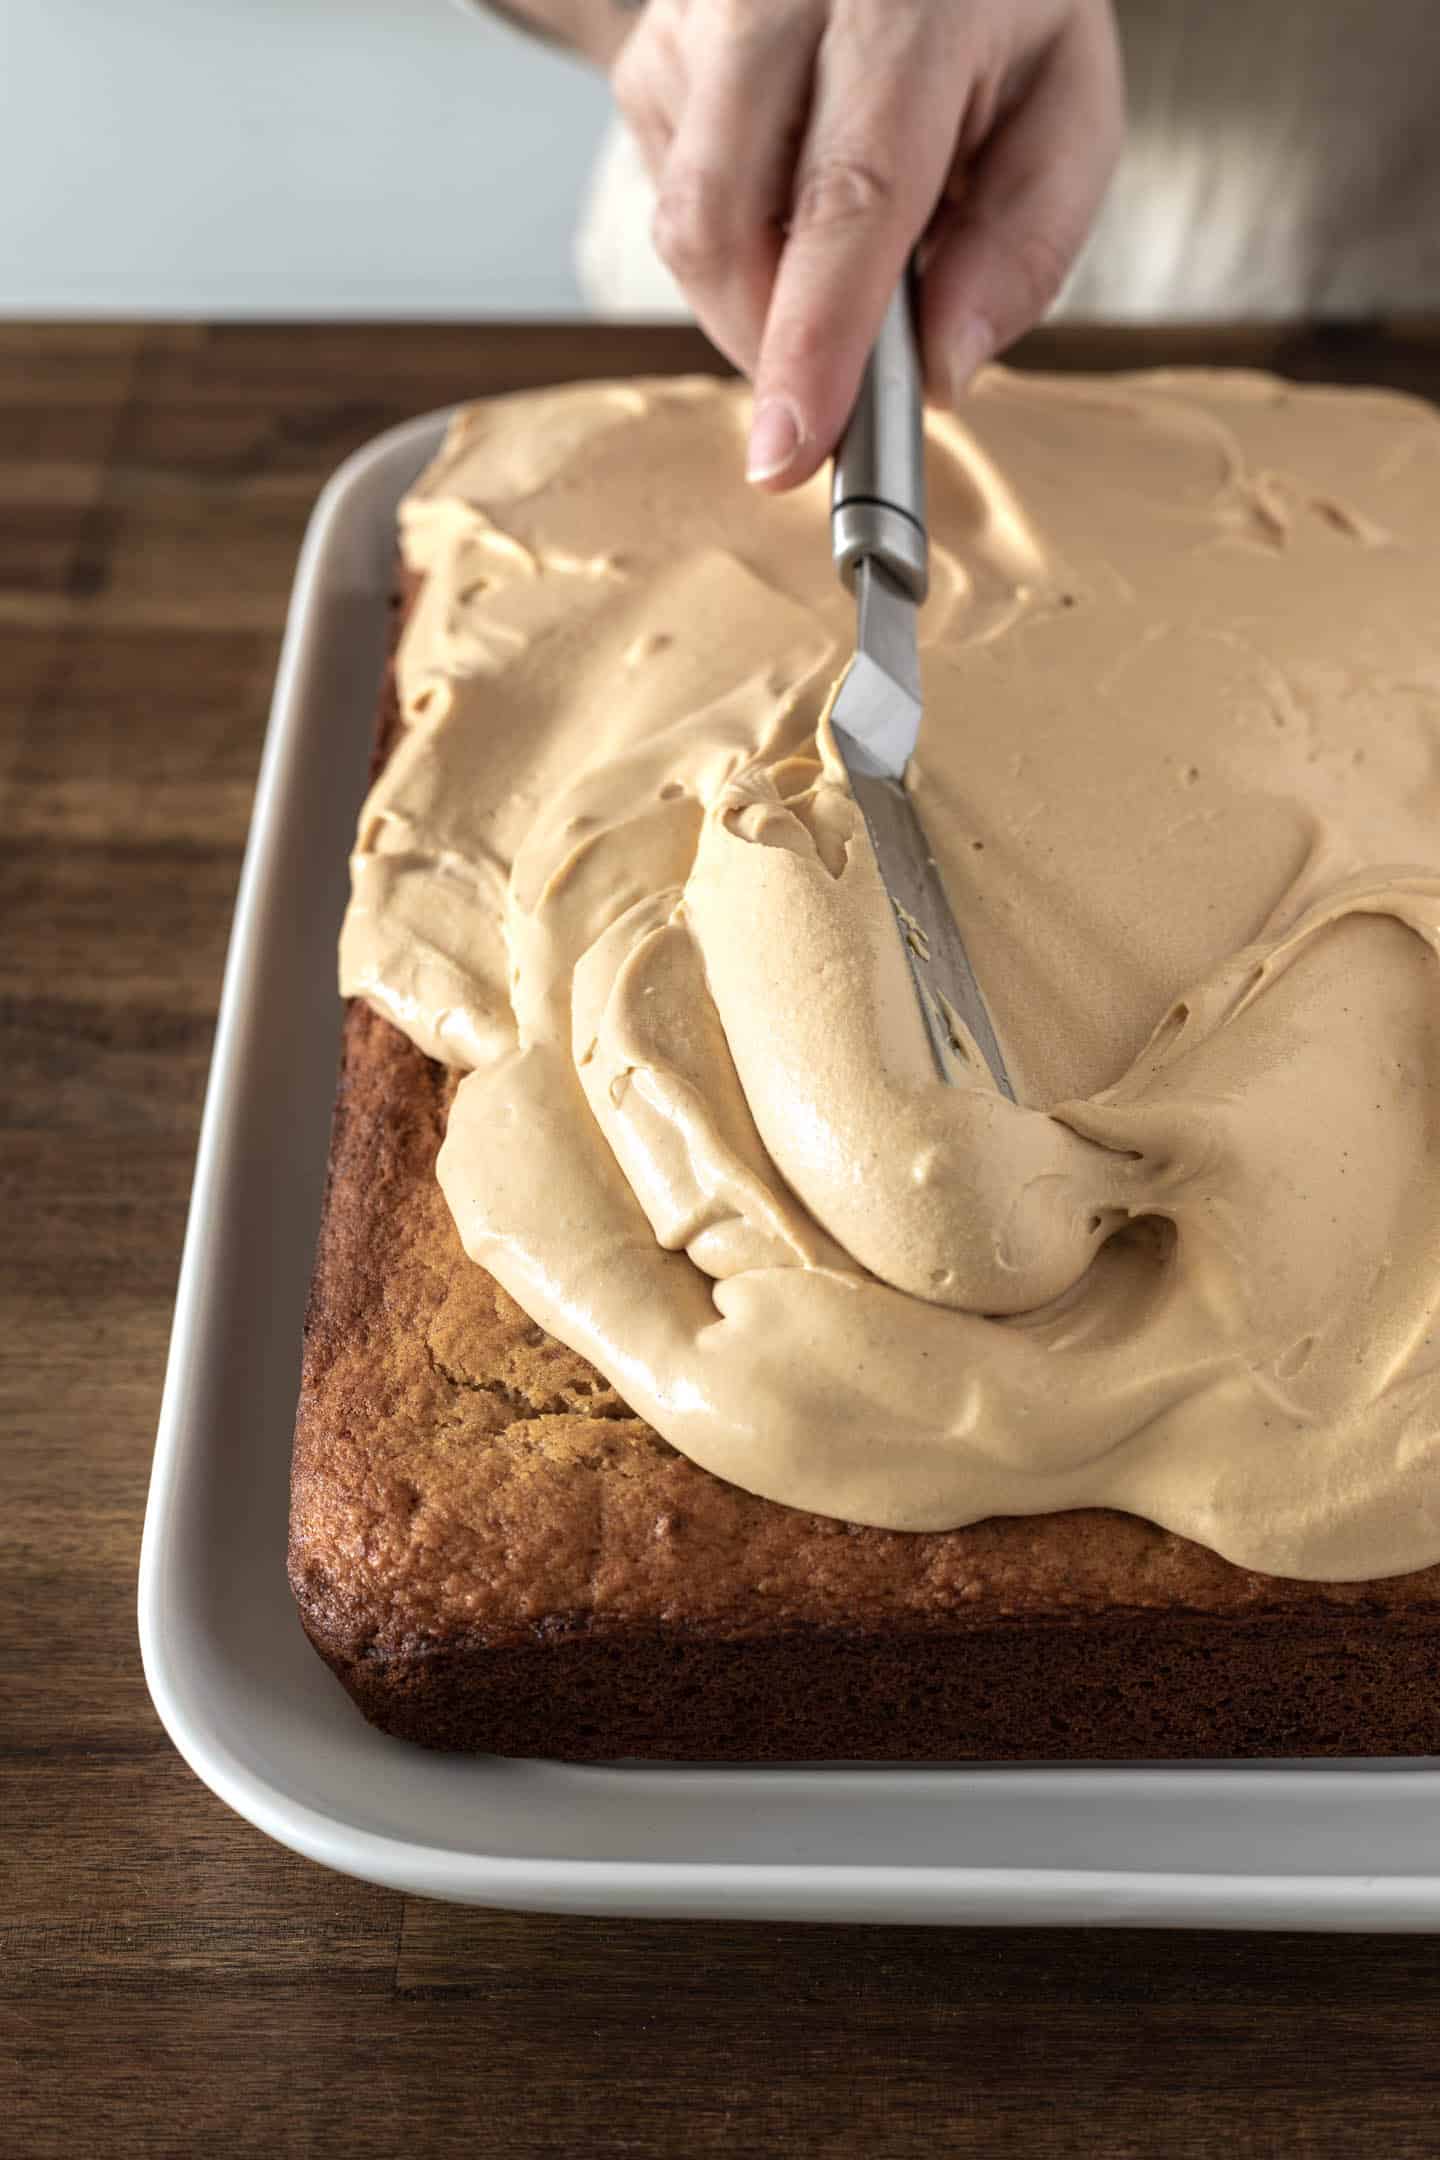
pixel 286 159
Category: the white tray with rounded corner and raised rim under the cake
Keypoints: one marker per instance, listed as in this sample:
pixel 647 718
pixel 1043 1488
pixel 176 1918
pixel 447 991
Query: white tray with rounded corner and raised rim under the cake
pixel 267 1727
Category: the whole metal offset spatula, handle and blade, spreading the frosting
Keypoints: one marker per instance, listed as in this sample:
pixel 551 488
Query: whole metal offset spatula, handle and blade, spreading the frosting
pixel 882 552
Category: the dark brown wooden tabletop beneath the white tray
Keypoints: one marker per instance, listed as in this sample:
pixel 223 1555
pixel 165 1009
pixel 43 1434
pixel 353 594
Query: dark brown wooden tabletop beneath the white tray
pixel 169 1977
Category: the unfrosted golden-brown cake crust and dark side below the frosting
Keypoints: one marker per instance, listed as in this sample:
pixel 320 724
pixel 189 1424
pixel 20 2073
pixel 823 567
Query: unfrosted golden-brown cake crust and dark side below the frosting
pixel 493 1554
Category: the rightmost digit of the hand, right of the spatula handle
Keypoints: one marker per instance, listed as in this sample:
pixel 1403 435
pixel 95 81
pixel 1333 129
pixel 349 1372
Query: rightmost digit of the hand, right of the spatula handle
pixel 1014 224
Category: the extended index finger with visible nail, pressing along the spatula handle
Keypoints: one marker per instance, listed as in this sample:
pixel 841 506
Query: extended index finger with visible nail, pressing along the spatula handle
pixel 891 85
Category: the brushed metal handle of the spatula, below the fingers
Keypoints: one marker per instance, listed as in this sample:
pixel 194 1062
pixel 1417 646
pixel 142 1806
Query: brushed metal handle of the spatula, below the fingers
pixel 878 504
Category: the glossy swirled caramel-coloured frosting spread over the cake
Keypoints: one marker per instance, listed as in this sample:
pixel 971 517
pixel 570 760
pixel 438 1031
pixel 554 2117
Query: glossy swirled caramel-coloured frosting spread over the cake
pixel 1182 772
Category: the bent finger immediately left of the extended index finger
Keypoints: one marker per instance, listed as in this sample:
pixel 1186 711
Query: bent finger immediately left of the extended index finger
pixel 726 183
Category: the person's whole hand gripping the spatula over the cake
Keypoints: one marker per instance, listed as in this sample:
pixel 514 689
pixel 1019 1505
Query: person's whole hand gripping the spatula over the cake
pixel 804 148
